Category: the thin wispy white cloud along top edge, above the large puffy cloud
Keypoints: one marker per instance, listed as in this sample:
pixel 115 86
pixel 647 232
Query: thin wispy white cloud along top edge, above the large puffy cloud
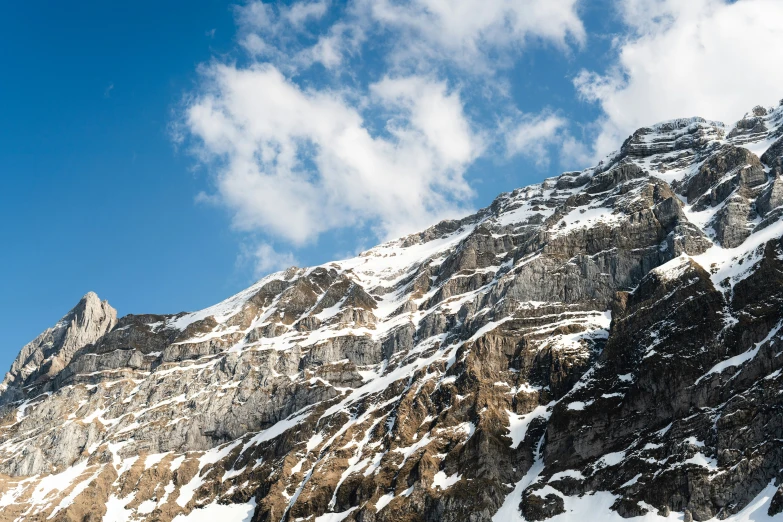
pixel 474 35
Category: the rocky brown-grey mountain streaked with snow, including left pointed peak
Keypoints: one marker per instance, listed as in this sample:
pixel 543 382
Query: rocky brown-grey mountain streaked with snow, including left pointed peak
pixel 601 346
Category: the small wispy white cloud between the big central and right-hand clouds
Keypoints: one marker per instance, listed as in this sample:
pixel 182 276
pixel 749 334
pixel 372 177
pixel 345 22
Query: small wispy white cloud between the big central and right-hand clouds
pixel 534 134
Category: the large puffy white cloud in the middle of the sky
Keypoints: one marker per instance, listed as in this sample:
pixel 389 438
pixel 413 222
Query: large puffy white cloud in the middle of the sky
pixel 294 163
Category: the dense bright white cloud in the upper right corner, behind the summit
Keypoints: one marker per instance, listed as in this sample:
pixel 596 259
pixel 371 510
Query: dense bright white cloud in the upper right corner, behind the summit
pixel 709 58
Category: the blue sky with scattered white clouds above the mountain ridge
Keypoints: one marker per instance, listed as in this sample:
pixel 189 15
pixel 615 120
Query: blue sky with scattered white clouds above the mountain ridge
pixel 167 154
